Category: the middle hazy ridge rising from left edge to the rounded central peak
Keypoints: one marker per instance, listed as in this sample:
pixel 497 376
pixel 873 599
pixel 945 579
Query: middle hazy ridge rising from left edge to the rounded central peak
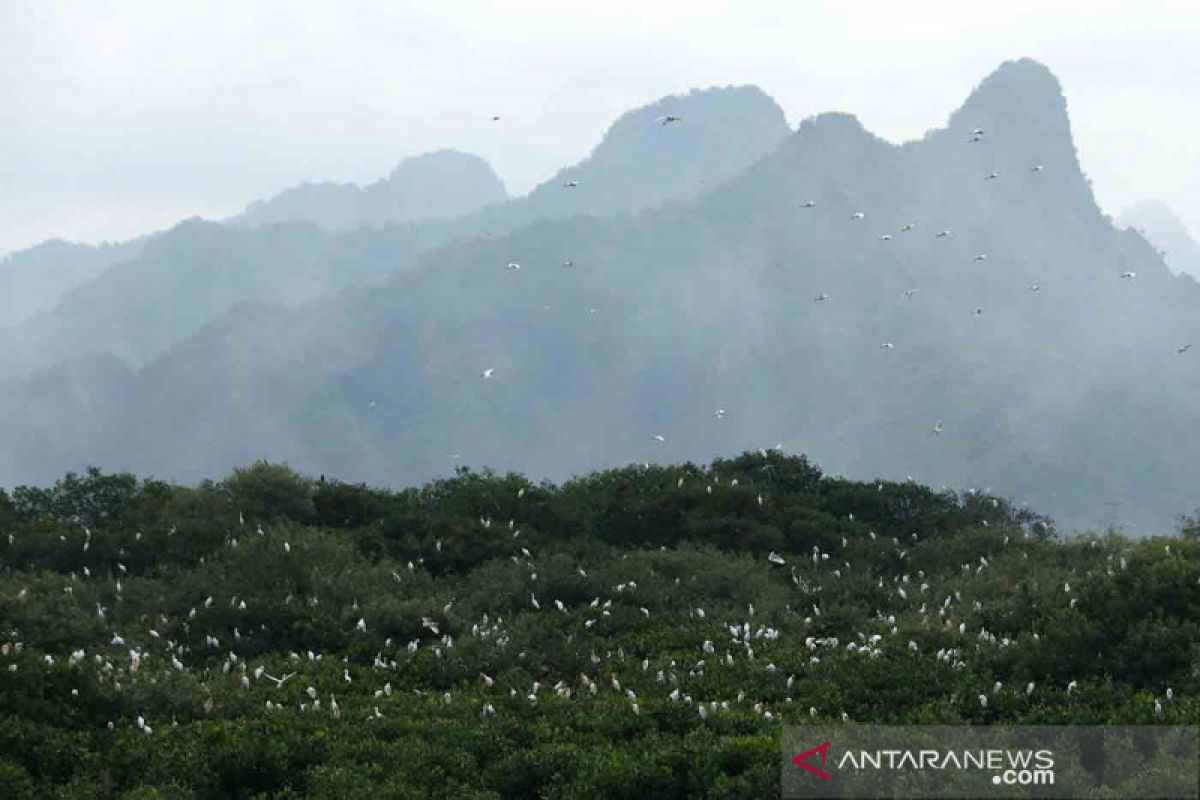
pixel 200 270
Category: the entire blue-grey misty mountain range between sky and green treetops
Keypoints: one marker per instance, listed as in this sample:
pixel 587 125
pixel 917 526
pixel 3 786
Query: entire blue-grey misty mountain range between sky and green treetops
pixel 956 309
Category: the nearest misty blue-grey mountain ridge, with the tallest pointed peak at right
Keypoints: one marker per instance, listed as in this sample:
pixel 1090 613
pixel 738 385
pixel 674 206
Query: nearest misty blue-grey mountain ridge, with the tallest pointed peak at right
pixel 848 329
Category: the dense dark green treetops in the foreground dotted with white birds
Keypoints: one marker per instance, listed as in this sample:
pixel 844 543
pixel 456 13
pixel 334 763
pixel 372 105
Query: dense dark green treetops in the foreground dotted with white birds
pixel 124 599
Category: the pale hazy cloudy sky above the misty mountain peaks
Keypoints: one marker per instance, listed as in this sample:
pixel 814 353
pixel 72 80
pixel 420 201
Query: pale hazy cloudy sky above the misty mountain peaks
pixel 123 117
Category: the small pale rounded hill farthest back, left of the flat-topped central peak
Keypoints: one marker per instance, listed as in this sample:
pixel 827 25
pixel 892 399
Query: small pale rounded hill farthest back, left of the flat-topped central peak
pixel 434 187
